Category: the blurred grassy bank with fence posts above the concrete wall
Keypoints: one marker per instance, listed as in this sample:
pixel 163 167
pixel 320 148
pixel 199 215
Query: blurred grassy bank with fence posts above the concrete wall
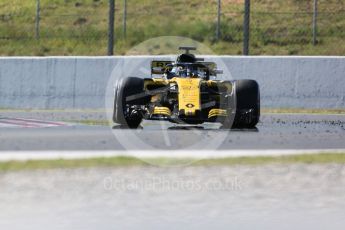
pixel 229 27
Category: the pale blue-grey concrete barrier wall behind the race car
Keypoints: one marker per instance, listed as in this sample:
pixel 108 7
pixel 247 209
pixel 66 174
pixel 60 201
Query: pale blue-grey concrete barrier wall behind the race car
pixel 81 82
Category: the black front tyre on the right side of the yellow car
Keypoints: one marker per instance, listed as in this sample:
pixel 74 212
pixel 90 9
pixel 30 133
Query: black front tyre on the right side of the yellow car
pixel 247 104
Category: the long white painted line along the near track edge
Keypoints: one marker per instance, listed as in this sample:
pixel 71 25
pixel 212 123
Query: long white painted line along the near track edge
pixel 211 154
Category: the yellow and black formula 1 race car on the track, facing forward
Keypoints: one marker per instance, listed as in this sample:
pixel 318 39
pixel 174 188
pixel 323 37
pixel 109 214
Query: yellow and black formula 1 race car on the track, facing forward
pixel 184 93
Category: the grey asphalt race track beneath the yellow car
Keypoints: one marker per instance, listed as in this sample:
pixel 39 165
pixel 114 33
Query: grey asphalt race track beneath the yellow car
pixel 45 131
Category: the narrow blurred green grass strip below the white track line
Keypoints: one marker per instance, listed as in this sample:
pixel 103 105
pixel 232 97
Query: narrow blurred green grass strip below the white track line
pixel 115 162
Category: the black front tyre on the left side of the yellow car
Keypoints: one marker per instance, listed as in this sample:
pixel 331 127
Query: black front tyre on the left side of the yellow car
pixel 129 92
